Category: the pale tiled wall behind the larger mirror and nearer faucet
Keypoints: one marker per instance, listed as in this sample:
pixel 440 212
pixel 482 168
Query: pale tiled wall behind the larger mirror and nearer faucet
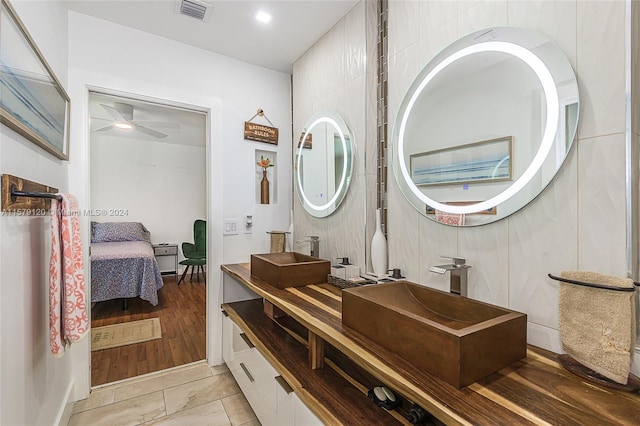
pixel 579 220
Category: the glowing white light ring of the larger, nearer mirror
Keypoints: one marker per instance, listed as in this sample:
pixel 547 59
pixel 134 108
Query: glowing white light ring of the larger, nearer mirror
pixel 552 104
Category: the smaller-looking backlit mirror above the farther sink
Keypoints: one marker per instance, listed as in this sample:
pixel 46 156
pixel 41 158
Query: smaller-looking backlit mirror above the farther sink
pixel 323 164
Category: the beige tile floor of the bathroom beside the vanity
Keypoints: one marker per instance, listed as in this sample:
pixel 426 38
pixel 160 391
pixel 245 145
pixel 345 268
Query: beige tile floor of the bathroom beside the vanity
pixel 195 394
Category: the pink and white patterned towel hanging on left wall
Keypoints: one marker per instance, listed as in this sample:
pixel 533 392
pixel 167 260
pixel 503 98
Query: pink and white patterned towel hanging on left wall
pixel 68 321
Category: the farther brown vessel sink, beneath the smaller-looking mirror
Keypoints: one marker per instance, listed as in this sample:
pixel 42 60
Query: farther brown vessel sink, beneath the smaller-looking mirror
pixel 289 269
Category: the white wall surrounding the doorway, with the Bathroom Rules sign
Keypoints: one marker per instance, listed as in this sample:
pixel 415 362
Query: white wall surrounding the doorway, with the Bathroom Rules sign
pixel 229 90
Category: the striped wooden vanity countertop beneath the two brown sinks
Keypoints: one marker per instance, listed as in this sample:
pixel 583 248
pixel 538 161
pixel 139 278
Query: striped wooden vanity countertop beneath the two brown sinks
pixel 535 390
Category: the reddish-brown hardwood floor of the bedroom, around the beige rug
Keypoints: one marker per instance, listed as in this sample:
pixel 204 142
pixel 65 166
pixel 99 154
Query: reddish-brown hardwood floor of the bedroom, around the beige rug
pixel 182 313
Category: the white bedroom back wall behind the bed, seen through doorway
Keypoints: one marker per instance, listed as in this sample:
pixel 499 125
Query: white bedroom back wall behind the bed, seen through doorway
pixel 159 184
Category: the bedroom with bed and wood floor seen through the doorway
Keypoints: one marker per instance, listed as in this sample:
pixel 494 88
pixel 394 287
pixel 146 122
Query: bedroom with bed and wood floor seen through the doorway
pixel 148 187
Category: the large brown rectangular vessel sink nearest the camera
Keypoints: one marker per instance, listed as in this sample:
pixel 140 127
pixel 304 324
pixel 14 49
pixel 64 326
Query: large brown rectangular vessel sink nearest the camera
pixel 457 339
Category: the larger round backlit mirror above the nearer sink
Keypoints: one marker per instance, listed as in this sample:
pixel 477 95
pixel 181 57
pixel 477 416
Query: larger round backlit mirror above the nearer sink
pixel 485 126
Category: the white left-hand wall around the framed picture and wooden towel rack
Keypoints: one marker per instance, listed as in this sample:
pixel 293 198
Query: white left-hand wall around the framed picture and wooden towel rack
pixel 34 386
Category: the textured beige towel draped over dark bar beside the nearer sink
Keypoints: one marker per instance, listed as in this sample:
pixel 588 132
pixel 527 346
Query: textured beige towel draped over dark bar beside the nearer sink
pixel 598 326
